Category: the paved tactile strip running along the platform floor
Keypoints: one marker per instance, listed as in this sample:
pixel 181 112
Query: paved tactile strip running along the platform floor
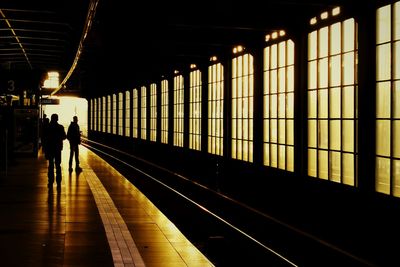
pixel 123 248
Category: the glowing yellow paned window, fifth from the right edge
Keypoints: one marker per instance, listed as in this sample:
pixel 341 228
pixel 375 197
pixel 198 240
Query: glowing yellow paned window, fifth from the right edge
pixel 216 109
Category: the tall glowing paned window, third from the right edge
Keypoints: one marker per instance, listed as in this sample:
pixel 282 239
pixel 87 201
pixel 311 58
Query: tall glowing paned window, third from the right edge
pixel 279 105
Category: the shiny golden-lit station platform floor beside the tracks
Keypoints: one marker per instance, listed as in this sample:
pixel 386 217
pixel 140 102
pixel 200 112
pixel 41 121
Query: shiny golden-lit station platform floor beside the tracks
pixel 97 218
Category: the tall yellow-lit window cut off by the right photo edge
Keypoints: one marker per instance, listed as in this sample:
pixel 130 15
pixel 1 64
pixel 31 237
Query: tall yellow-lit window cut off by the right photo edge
pixel 388 100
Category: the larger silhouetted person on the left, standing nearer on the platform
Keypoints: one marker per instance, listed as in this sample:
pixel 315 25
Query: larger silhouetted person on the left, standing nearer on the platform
pixel 54 143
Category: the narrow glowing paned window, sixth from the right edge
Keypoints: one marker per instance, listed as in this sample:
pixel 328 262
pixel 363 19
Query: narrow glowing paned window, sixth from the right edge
pixel 195 110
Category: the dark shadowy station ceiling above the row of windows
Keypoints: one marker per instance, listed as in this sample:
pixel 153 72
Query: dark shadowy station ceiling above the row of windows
pixel 130 43
